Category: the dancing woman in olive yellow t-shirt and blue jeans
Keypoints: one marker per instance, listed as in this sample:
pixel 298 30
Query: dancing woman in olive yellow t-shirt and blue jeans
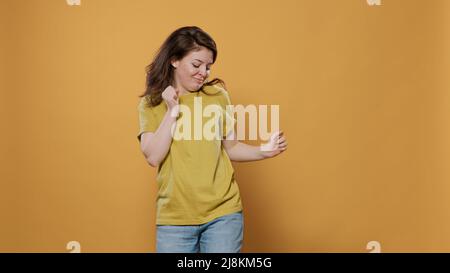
pixel 199 208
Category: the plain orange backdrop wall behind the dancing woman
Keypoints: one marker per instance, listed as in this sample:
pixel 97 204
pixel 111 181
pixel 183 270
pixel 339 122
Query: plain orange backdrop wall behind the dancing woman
pixel 364 101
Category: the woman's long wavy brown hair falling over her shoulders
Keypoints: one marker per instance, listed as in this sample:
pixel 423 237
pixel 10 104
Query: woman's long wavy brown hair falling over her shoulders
pixel 175 47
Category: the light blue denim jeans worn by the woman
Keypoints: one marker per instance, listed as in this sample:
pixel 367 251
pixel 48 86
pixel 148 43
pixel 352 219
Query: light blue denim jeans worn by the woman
pixel 221 235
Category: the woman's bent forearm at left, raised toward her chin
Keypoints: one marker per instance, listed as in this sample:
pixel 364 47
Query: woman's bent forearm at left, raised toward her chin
pixel 157 149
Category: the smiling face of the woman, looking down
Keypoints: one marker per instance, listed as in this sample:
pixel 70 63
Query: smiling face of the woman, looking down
pixel 193 70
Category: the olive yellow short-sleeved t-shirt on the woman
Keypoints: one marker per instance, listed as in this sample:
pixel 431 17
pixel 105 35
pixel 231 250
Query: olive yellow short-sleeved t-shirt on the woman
pixel 195 181
